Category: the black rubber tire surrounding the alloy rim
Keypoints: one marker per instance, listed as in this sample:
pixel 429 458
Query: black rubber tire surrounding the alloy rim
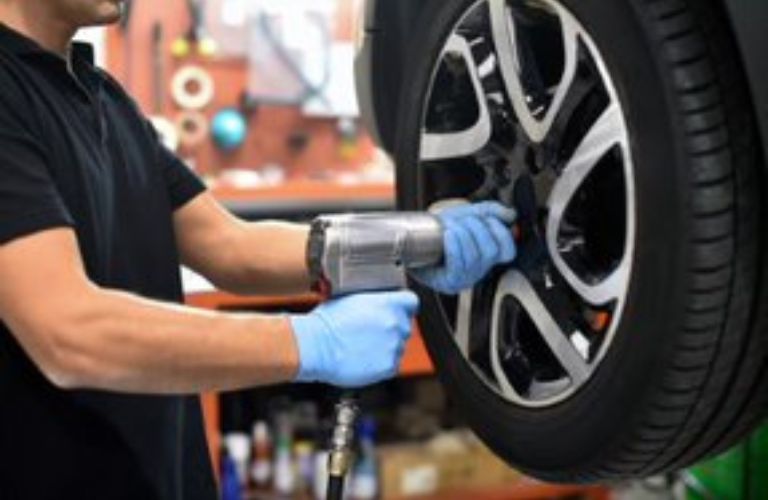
pixel 685 377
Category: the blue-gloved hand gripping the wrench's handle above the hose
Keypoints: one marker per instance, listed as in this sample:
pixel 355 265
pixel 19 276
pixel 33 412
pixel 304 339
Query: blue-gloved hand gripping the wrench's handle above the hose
pixel 354 341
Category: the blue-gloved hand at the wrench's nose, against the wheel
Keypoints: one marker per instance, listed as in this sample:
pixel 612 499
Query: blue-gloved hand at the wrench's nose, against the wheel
pixel 477 238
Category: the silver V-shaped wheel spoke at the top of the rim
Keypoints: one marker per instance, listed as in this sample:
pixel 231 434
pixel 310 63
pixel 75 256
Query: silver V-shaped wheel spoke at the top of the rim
pixel 505 39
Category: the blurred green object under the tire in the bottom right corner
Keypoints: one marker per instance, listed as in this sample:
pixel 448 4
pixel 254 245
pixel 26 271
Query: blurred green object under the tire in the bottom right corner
pixel 739 474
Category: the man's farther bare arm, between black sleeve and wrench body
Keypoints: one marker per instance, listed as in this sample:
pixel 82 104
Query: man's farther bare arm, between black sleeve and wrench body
pixel 265 258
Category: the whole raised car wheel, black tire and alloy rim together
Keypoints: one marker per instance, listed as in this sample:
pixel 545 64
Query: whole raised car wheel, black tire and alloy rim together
pixel 626 339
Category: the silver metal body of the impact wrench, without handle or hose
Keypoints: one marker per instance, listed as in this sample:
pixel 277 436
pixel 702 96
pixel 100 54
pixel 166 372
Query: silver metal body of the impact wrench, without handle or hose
pixel 370 252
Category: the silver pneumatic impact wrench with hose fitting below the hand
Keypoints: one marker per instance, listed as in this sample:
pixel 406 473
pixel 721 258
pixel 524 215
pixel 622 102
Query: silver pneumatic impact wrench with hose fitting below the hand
pixel 365 253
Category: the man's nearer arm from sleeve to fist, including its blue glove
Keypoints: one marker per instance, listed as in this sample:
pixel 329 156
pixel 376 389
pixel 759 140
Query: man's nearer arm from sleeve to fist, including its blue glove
pixel 83 336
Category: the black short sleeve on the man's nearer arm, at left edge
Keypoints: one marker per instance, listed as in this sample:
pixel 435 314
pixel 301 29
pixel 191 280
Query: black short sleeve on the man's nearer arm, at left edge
pixel 29 199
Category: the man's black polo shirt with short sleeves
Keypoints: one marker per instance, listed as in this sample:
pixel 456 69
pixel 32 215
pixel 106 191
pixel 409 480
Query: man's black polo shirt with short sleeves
pixel 76 152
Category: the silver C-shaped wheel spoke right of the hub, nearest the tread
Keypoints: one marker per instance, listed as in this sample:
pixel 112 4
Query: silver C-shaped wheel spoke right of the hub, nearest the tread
pixel 605 134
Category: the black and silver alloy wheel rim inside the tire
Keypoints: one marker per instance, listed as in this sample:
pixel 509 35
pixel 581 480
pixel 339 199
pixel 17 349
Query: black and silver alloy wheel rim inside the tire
pixel 521 109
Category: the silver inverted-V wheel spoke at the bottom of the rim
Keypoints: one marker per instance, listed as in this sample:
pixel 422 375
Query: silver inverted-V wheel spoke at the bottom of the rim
pixel 516 285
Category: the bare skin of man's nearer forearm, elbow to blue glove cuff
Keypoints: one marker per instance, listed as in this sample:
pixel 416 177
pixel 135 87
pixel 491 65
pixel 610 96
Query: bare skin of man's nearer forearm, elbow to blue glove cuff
pixel 119 342
